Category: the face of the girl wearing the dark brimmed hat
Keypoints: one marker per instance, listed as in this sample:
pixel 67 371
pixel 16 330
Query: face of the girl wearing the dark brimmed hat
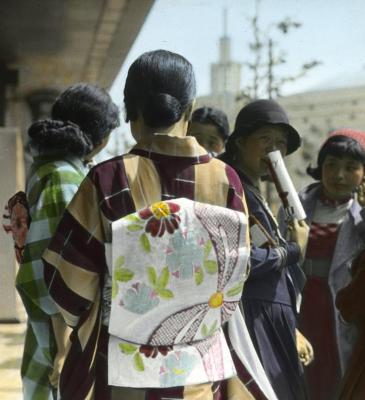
pixel 254 148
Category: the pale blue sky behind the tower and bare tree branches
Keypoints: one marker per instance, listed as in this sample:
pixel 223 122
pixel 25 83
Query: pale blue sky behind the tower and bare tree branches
pixel 333 32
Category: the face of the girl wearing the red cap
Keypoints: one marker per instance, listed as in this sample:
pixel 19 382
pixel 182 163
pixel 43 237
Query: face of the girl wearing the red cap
pixel 341 176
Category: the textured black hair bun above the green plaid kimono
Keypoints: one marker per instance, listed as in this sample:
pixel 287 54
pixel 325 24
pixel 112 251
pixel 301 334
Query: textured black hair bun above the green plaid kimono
pixel 59 136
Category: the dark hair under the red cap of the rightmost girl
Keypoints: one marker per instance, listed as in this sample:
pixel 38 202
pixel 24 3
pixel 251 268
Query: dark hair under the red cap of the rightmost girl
pixel 337 146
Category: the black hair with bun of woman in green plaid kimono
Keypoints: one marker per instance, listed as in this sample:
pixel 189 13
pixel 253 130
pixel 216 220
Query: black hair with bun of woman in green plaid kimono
pixel 82 116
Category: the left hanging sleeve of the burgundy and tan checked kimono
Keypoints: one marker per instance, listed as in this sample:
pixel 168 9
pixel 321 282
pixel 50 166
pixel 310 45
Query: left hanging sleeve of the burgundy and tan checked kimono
pixel 75 259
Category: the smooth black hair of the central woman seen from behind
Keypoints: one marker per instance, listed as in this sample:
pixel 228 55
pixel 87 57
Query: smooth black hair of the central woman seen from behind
pixel 161 86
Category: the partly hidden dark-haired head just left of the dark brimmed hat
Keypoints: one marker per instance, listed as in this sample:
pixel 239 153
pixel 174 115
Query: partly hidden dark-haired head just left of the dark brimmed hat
pixel 211 129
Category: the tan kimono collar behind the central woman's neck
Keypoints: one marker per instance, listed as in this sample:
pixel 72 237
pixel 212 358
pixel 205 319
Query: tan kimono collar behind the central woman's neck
pixel 168 145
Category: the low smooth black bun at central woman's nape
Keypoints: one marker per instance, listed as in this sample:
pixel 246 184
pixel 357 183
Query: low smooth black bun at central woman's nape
pixel 161 109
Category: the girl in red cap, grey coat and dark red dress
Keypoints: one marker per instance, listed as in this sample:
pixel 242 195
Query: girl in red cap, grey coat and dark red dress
pixel 337 233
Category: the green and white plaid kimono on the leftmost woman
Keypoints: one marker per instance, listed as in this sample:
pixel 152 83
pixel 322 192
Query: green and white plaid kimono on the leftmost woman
pixel 51 185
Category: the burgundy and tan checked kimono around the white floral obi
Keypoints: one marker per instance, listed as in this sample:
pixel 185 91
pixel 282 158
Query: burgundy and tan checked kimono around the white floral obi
pixel 161 167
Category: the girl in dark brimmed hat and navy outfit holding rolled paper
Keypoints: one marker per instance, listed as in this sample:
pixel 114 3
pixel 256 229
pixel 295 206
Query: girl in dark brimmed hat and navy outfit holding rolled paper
pixel 269 296
